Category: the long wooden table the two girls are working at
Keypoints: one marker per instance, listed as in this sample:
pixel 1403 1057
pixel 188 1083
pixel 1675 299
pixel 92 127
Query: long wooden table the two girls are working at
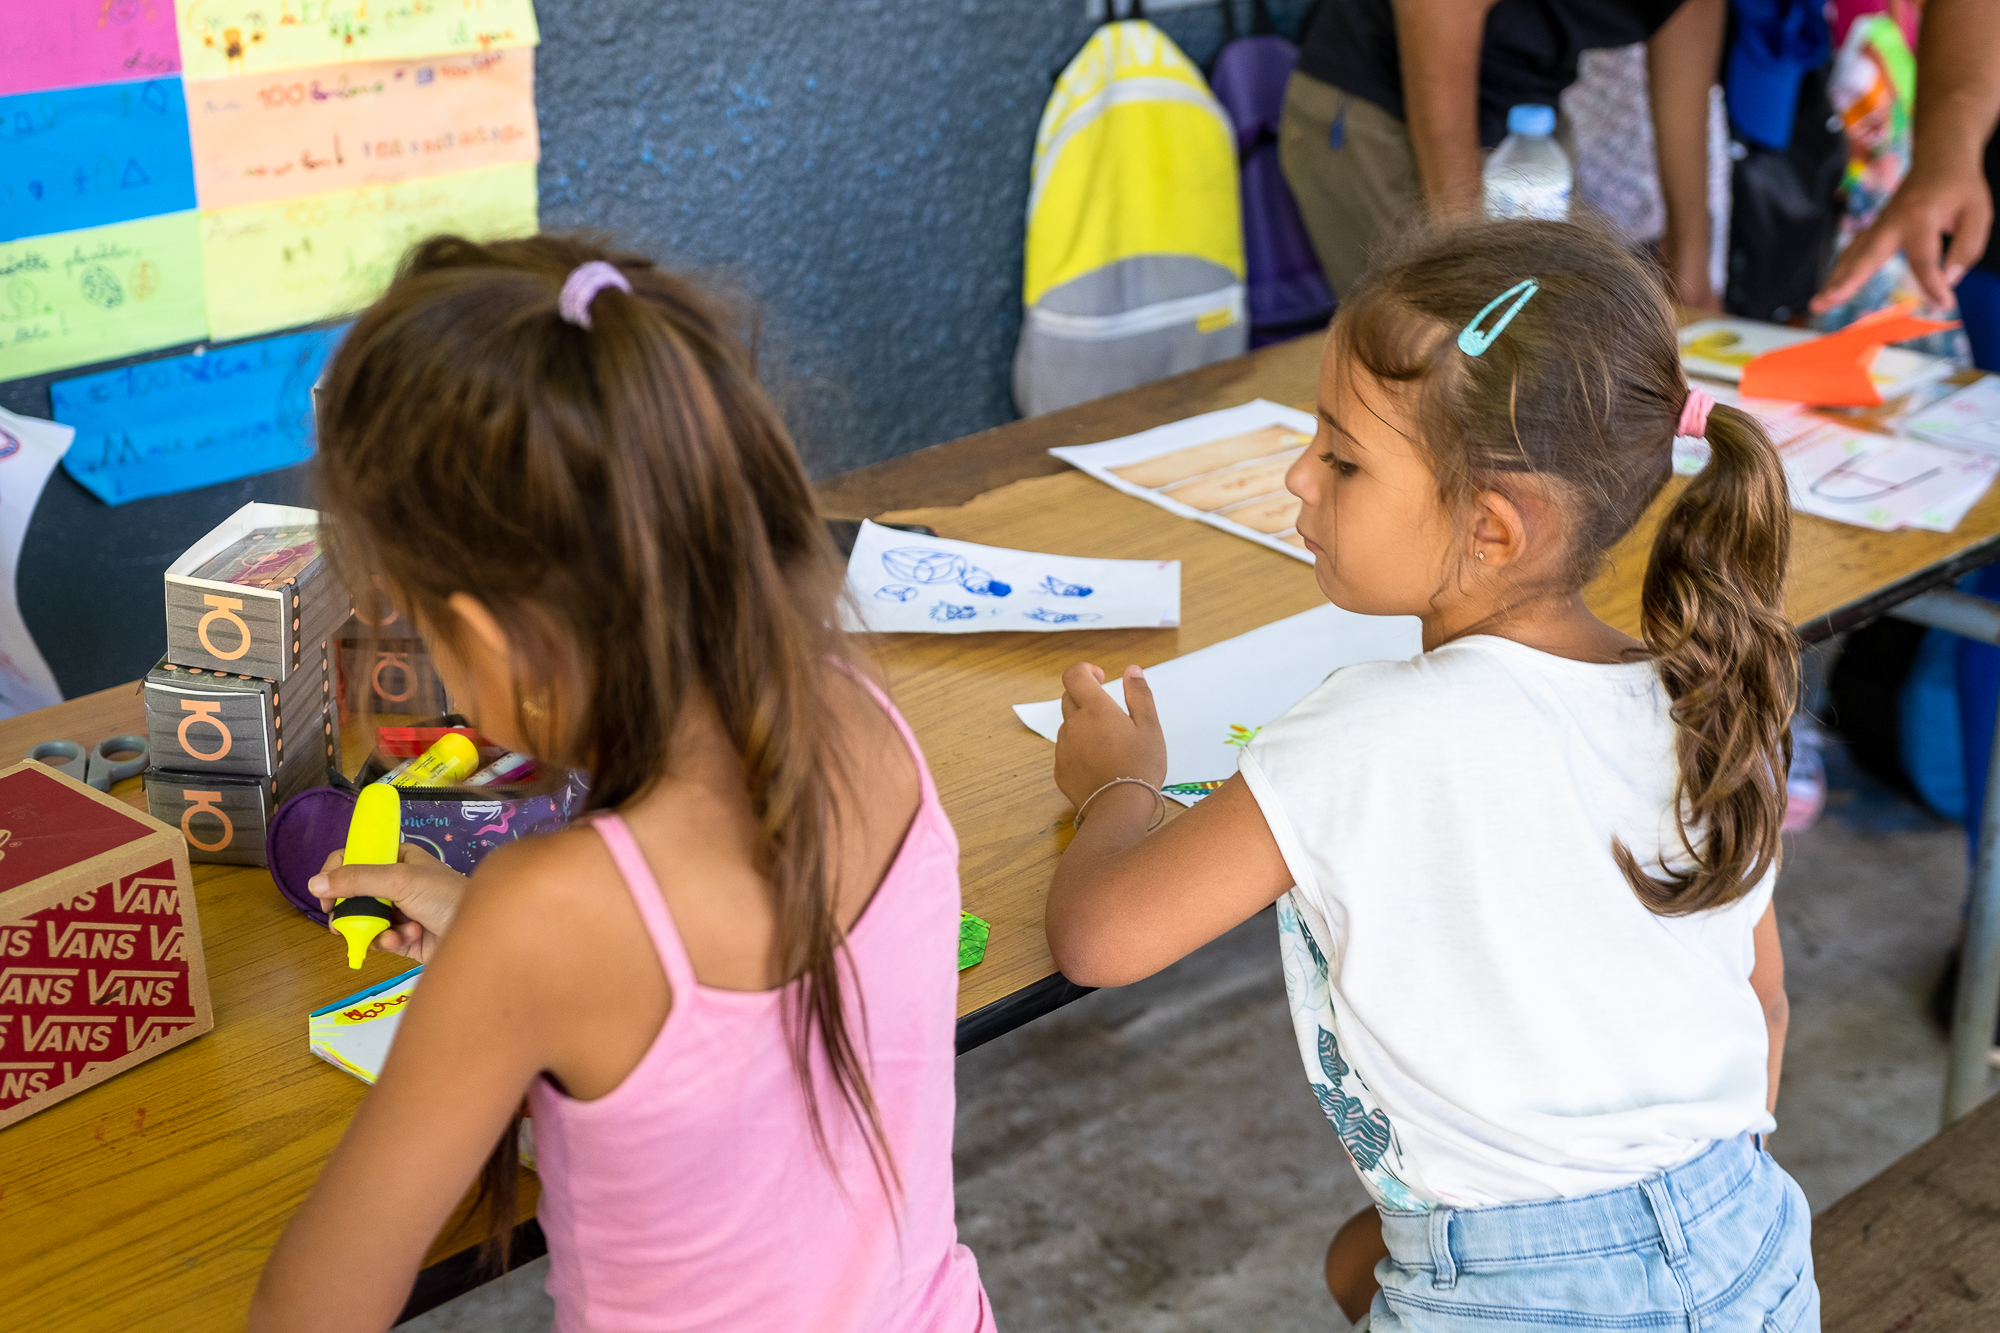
pixel 151 1202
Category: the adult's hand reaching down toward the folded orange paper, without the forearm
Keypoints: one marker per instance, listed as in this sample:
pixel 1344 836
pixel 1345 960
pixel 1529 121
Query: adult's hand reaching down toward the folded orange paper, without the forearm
pixel 1929 207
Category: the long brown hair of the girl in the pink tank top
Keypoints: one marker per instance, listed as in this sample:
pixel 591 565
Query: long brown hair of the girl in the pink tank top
pixel 629 505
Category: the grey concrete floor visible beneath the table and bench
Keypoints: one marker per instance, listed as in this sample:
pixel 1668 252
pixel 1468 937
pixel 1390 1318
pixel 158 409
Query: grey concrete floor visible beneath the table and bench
pixel 1151 1162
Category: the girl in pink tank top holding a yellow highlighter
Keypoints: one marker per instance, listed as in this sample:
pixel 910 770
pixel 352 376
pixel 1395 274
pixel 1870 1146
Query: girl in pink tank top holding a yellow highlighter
pixel 727 998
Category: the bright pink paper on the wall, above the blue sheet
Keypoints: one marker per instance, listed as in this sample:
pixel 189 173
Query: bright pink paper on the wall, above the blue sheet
pixel 75 43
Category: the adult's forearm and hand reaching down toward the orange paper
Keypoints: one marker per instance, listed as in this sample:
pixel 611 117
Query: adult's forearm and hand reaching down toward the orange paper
pixel 1947 191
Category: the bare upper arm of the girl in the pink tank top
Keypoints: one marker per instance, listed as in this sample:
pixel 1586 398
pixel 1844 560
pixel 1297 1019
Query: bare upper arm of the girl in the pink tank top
pixel 477 1034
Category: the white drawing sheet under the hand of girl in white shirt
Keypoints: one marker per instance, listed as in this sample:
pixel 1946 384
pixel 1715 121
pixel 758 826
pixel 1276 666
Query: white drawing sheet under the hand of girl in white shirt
pixel 1215 700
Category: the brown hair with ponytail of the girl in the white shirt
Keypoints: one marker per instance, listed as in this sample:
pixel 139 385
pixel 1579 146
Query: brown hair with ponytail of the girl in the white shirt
pixel 1583 391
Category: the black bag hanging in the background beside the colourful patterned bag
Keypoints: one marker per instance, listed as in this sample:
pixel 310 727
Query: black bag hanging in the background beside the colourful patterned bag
pixel 1785 213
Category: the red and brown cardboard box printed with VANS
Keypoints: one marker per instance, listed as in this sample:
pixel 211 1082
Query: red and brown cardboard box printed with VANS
pixel 101 946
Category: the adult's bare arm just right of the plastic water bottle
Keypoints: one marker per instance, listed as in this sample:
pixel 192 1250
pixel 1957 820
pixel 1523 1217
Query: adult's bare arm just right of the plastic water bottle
pixel 1681 67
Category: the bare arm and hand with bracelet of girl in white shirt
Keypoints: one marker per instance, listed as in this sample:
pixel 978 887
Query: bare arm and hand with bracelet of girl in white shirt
pixel 1123 904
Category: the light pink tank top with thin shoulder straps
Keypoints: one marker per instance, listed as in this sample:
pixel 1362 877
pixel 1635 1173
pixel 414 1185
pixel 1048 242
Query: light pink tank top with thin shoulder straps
pixel 693 1196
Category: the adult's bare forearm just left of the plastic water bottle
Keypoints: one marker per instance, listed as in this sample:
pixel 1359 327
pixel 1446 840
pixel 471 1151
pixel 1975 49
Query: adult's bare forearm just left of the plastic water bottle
pixel 1439 51
